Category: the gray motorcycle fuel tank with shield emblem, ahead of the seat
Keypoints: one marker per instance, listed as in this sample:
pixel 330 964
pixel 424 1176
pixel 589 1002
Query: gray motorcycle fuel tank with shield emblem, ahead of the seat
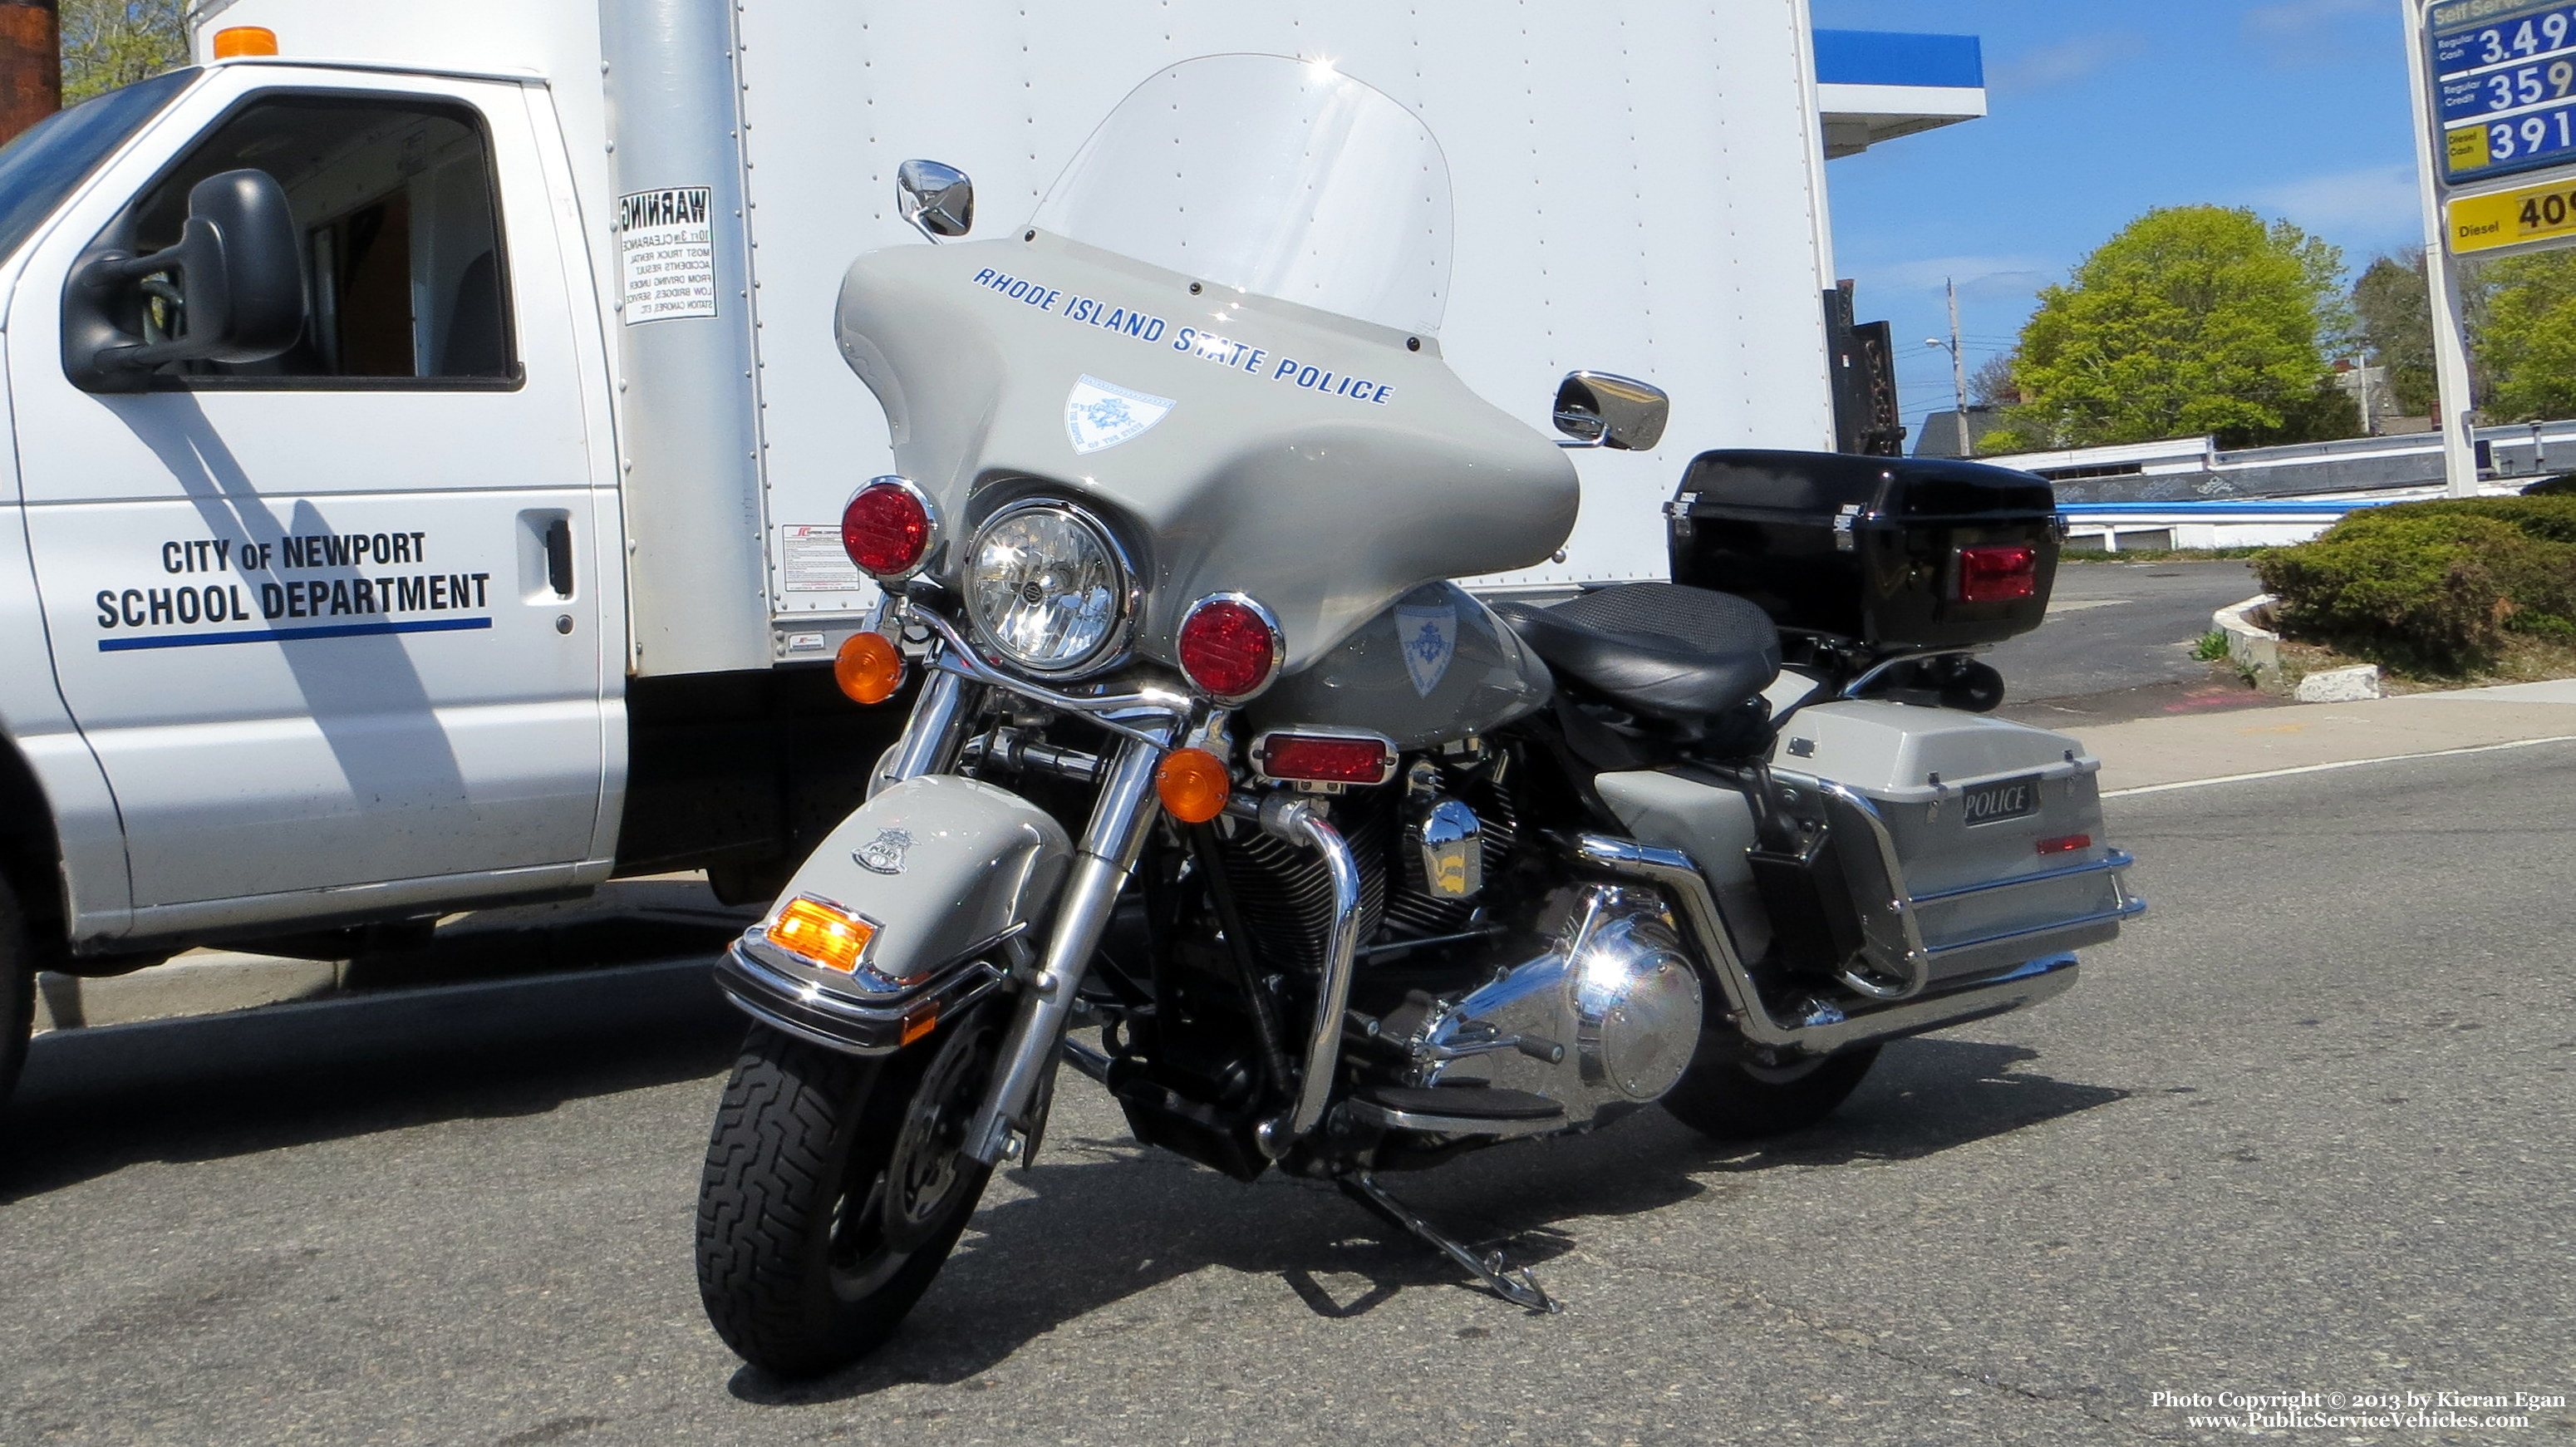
pixel 1480 676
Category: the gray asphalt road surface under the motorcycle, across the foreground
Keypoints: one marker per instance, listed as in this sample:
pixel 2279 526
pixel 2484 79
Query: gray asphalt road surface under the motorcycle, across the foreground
pixel 2304 1129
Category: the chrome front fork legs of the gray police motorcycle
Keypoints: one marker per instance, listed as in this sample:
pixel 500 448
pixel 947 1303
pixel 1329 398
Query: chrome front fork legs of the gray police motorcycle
pixel 1104 861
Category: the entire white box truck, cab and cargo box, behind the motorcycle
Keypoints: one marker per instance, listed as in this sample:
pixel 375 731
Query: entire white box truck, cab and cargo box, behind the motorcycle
pixel 519 568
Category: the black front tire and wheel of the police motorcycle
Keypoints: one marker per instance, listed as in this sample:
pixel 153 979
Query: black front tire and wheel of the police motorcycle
pixel 836 1188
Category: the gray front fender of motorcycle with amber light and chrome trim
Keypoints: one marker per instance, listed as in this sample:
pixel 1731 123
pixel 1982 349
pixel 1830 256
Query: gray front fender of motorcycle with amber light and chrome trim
pixel 952 877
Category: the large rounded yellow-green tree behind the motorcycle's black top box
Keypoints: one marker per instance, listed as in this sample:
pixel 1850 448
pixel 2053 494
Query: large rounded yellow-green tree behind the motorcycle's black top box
pixel 2191 321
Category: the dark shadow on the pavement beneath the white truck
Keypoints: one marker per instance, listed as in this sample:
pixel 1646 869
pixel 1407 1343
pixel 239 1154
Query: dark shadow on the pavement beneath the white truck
pixel 259 1080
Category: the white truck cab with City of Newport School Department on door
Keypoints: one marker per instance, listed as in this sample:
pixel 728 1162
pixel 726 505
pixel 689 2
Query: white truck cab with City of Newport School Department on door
pixel 339 632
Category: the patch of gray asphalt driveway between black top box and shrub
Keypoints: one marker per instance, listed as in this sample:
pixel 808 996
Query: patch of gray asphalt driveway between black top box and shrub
pixel 2119 642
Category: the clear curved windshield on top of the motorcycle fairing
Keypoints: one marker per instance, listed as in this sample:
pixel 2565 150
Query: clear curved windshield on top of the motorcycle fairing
pixel 1271 176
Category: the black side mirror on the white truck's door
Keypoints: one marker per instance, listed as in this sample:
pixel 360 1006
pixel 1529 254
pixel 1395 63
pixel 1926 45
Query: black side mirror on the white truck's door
pixel 231 290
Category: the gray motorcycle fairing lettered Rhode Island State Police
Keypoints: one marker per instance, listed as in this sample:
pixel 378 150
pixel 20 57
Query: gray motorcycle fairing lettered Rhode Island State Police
pixel 1325 503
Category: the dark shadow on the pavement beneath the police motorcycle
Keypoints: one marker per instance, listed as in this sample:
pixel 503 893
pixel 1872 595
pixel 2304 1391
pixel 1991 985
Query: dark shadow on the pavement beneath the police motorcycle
pixel 1094 1235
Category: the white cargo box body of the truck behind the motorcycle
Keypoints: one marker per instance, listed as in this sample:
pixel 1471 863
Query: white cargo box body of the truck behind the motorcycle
pixel 1637 189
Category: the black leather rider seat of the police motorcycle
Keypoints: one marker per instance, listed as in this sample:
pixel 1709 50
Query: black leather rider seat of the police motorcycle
pixel 1658 648
